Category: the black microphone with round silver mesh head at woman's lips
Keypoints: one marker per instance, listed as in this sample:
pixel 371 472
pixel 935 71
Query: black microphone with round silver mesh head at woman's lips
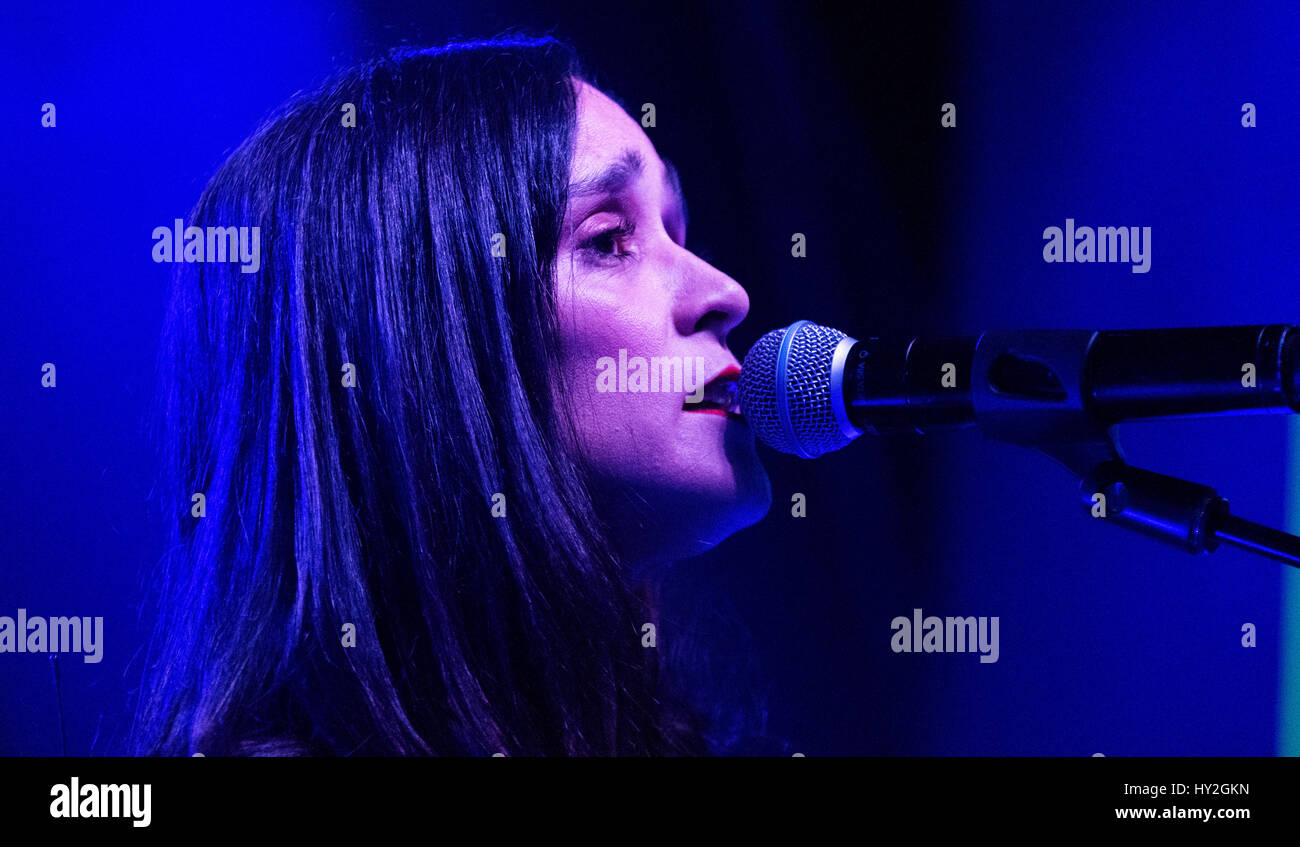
pixel 809 390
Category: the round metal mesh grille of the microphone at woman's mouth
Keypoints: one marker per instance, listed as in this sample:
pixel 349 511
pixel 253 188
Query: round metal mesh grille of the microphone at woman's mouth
pixel 813 429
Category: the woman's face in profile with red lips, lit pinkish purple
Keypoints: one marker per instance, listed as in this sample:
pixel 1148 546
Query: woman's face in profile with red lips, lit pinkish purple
pixel 675 463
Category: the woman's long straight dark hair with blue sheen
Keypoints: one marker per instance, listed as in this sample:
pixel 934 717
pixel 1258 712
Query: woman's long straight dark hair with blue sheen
pixel 332 506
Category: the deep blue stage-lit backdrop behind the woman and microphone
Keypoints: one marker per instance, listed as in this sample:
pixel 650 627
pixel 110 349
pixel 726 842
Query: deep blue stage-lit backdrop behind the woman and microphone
pixel 782 120
